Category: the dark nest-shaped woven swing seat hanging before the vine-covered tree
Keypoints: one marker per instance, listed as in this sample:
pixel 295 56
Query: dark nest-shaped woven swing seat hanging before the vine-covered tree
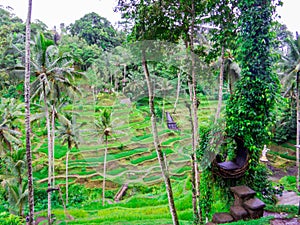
pixel 235 168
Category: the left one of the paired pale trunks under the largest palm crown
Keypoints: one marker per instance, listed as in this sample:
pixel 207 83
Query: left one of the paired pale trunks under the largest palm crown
pixel 49 151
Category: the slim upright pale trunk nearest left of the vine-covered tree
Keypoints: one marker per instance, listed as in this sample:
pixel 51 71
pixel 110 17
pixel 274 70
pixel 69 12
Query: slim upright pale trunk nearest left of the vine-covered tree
pixel 194 107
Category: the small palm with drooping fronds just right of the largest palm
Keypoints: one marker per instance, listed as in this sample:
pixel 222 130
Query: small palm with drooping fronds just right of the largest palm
pixel 68 132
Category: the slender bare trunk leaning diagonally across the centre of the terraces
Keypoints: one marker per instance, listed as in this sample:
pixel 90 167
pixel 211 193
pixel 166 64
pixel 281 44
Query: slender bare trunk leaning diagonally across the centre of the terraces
pixel 159 152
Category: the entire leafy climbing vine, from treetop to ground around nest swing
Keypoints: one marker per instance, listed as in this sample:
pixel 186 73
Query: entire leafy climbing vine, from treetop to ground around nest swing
pixel 250 110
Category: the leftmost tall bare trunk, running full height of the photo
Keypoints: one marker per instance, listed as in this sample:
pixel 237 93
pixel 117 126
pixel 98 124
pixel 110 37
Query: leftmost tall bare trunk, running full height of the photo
pixel 27 115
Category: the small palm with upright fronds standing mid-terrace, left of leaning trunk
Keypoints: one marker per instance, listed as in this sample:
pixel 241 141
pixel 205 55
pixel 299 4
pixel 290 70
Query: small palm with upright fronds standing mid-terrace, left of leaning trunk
pixel 103 129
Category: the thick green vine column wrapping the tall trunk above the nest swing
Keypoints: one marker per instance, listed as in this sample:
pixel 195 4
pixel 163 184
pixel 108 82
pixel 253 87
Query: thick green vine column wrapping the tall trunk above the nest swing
pixel 249 112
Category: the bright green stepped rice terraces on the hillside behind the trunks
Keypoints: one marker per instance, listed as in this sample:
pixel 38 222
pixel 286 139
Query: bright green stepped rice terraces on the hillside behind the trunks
pixel 131 155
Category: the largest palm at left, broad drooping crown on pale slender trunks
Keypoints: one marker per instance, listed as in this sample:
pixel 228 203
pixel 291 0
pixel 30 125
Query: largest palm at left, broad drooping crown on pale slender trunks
pixel 55 77
